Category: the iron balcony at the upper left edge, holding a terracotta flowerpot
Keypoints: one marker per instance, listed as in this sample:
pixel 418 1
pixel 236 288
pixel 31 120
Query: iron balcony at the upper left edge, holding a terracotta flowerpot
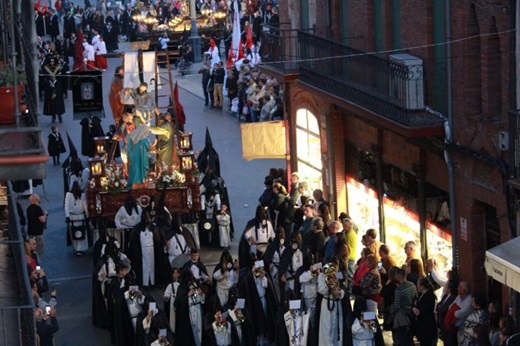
pixel 22 152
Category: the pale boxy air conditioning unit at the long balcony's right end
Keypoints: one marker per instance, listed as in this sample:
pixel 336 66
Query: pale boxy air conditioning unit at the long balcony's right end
pixel 408 90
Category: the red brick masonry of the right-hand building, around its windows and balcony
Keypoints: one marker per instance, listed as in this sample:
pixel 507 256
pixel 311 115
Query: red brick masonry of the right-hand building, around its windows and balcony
pixel 476 125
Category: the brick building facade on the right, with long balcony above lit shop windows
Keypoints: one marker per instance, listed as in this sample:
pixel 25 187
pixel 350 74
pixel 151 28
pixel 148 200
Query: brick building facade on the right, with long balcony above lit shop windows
pixel 402 157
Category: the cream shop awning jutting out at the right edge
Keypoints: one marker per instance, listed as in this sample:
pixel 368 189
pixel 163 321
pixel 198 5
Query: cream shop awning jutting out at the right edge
pixel 503 263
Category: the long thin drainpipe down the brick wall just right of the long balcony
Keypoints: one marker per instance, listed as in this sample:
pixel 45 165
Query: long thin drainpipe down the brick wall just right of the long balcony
pixel 449 139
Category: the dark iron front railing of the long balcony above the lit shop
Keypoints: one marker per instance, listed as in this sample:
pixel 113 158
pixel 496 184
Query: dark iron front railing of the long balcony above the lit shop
pixel 378 84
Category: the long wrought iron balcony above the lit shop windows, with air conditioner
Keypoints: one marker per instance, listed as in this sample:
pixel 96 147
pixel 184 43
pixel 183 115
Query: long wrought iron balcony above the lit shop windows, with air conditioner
pixel 392 91
